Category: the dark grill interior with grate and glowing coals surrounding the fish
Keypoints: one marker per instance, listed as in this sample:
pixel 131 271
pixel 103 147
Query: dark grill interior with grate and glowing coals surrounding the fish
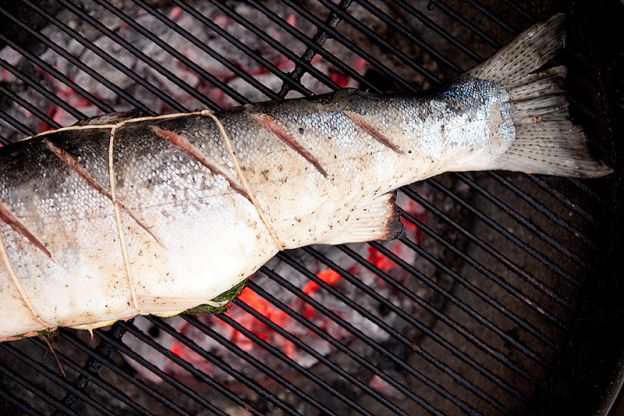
pixel 480 308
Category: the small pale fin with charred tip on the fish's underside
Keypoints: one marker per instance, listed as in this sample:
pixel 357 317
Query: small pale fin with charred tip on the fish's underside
pixel 378 219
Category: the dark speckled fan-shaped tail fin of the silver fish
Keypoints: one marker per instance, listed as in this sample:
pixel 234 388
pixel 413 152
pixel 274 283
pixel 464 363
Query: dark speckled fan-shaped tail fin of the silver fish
pixel 546 142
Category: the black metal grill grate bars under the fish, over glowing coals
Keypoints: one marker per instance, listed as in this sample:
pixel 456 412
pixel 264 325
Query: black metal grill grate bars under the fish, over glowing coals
pixel 505 256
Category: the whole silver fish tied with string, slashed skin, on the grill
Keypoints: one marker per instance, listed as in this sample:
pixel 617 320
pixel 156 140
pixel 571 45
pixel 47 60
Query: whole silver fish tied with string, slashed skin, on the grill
pixel 119 216
